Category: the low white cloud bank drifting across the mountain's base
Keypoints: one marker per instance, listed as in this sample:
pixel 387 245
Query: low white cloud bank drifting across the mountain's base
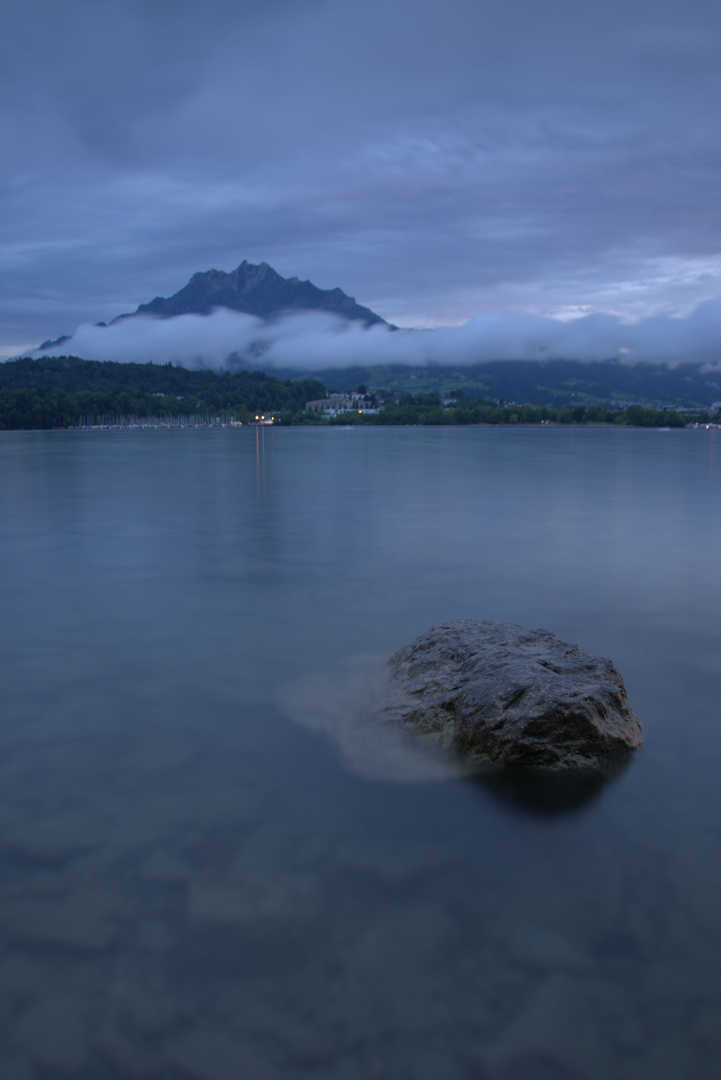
pixel 310 342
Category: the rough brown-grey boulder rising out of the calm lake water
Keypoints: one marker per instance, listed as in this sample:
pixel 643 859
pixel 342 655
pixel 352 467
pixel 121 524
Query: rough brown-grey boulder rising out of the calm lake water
pixel 500 694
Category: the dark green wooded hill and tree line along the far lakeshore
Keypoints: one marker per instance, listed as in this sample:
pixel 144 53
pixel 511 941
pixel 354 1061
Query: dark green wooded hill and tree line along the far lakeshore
pixel 66 391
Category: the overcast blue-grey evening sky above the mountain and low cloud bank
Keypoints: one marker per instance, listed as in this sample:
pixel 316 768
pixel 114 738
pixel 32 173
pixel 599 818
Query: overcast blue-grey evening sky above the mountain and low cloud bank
pixel 436 160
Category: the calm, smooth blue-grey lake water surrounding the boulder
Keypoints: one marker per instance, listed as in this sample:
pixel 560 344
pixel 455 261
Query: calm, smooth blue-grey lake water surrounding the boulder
pixel 194 886
